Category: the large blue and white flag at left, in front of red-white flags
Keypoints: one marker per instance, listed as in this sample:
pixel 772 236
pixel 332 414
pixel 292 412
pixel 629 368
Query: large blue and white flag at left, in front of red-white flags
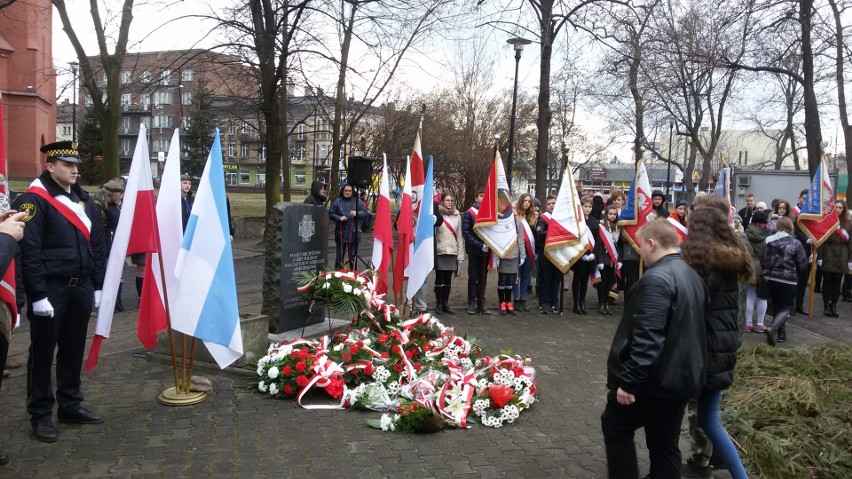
pixel 207 305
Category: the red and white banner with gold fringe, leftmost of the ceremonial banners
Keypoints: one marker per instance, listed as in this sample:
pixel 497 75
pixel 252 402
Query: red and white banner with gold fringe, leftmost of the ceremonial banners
pixel 495 222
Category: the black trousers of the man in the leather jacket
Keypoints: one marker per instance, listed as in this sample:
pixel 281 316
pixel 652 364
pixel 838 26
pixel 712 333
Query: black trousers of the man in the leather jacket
pixel 661 418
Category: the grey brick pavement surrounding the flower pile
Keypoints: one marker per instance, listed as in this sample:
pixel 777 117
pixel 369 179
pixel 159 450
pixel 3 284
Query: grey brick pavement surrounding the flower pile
pixel 237 432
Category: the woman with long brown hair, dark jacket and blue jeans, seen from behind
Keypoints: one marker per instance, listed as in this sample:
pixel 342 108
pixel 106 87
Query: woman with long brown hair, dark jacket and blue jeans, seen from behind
pixel 722 260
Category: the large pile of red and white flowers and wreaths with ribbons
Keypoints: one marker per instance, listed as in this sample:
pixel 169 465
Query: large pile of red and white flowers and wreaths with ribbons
pixel 417 370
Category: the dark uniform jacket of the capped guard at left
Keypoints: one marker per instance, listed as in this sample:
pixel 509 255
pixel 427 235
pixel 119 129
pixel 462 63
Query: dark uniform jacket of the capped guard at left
pixel 53 248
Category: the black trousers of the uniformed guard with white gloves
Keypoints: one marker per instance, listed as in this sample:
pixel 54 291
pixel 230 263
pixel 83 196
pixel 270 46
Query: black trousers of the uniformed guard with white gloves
pixel 65 335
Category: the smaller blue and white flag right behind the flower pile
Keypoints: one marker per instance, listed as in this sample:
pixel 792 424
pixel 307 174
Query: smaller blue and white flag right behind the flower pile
pixel 423 259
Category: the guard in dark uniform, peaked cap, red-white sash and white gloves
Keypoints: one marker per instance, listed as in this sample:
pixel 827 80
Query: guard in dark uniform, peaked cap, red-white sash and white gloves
pixel 62 256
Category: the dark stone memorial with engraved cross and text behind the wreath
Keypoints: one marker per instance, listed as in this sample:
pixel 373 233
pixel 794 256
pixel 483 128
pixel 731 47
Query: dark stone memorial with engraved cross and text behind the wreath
pixel 304 247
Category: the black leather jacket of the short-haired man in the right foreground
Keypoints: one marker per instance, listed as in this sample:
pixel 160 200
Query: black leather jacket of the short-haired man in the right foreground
pixel 659 348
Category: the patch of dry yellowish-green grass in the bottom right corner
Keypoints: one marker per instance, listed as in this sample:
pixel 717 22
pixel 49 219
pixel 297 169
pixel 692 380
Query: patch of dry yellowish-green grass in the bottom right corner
pixel 790 411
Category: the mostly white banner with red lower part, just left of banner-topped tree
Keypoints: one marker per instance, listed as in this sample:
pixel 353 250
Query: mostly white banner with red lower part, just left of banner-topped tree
pixel 567 238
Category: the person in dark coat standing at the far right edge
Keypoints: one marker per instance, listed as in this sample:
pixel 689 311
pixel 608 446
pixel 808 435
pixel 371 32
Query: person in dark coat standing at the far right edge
pixel 833 257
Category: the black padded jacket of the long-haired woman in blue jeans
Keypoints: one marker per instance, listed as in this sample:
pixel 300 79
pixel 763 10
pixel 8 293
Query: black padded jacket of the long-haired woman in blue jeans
pixel 723 331
